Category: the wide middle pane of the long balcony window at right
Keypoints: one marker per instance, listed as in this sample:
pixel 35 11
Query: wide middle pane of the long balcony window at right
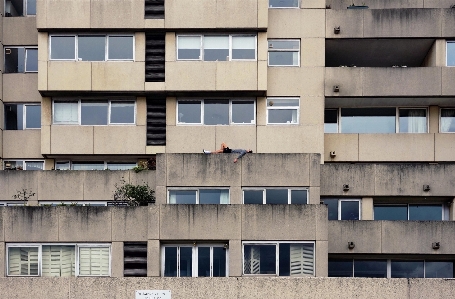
pixel 368 120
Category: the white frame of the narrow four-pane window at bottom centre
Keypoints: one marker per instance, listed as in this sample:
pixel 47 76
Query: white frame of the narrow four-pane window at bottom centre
pixel 194 257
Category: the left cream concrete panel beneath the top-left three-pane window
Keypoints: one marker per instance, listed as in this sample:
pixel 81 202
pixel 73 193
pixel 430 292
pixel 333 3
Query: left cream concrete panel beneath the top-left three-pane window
pixel 69 75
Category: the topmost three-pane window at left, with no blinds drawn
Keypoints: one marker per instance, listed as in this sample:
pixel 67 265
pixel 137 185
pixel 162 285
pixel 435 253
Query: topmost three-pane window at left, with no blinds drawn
pixel 92 47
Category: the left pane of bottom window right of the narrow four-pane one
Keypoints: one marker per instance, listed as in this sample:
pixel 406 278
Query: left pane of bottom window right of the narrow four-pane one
pixel 259 259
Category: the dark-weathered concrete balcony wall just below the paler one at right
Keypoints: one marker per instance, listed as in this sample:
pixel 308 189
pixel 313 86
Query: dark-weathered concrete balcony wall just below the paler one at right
pixel 387 179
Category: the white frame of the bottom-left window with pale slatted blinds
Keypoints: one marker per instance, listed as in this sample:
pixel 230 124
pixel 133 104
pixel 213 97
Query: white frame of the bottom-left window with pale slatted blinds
pixel 77 246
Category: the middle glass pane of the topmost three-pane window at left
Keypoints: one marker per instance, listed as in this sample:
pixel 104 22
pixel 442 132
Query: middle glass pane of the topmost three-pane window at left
pixel 91 48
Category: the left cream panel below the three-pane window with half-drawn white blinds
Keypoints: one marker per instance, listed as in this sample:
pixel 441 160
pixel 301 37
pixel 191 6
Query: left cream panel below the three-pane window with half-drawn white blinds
pixel 190 75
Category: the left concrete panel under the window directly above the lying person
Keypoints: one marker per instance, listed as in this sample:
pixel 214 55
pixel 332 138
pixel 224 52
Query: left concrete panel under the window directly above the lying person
pixel 181 139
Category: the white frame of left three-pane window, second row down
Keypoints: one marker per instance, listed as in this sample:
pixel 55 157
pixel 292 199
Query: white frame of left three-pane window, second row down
pixel 79 109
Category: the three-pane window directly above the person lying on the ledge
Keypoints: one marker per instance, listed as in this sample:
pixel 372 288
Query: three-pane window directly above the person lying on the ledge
pixel 216 112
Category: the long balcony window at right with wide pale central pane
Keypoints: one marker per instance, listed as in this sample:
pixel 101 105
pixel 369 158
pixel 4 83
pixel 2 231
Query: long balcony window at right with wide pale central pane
pixel 376 120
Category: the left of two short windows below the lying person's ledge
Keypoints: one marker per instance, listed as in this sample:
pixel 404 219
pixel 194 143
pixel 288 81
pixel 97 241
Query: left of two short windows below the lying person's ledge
pixel 198 196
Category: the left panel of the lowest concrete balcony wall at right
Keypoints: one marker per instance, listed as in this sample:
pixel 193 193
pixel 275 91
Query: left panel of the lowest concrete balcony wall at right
pixel 366 236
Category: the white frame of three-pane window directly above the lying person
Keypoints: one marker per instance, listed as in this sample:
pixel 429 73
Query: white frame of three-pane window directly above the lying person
pixel 201 123
